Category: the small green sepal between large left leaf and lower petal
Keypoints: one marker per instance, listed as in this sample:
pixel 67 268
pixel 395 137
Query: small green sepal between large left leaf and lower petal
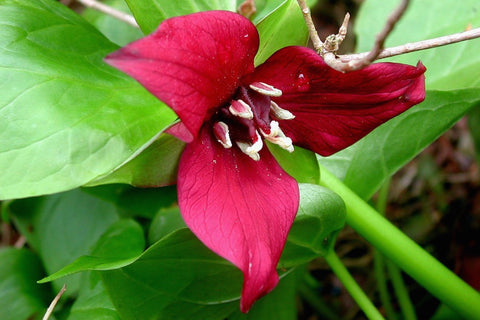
pixel 155 166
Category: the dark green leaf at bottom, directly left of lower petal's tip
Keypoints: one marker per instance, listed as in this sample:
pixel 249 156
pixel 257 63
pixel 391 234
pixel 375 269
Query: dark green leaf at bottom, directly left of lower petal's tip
pixel 176 278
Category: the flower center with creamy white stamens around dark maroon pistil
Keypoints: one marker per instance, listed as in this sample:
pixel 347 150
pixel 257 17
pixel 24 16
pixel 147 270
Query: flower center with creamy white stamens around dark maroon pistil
pixel 251 116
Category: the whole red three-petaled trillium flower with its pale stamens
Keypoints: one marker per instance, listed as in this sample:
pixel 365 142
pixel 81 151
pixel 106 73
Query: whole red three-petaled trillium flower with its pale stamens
pixel 232 193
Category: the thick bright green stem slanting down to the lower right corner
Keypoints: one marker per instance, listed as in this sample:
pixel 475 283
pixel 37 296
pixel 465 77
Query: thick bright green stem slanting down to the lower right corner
pixel 405 253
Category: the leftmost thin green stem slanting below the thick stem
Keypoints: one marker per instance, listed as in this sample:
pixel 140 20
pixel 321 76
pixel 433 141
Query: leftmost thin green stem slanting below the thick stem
pixel 352 287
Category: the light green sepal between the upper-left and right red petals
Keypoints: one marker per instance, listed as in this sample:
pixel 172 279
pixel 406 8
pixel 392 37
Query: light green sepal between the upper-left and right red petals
pixel 281 28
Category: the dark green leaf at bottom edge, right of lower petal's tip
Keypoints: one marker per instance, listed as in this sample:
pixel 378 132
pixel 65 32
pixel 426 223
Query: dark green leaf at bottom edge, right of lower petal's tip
pixel 280 304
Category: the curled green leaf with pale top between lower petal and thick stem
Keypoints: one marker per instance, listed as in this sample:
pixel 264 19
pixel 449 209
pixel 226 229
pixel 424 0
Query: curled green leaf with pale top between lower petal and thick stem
pixel 320 217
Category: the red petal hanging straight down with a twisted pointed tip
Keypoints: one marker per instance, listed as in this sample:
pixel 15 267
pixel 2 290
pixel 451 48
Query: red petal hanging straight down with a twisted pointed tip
pixel 240 208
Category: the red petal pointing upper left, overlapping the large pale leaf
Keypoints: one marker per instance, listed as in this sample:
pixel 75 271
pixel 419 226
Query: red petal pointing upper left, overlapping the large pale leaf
pixel 192 63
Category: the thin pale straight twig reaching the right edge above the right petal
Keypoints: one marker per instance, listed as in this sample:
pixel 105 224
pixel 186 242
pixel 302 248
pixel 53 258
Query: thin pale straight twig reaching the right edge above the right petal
pixel 417 46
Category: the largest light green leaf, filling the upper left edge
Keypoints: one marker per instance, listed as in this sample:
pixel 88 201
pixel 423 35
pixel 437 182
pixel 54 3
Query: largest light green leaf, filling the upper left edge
pixel 65 116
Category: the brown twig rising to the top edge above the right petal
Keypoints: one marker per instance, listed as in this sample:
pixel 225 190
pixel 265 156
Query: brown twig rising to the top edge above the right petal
pixel 381 37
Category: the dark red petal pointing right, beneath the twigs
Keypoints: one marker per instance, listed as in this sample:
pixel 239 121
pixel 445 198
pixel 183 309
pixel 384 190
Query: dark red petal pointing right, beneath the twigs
pixel 332 109
